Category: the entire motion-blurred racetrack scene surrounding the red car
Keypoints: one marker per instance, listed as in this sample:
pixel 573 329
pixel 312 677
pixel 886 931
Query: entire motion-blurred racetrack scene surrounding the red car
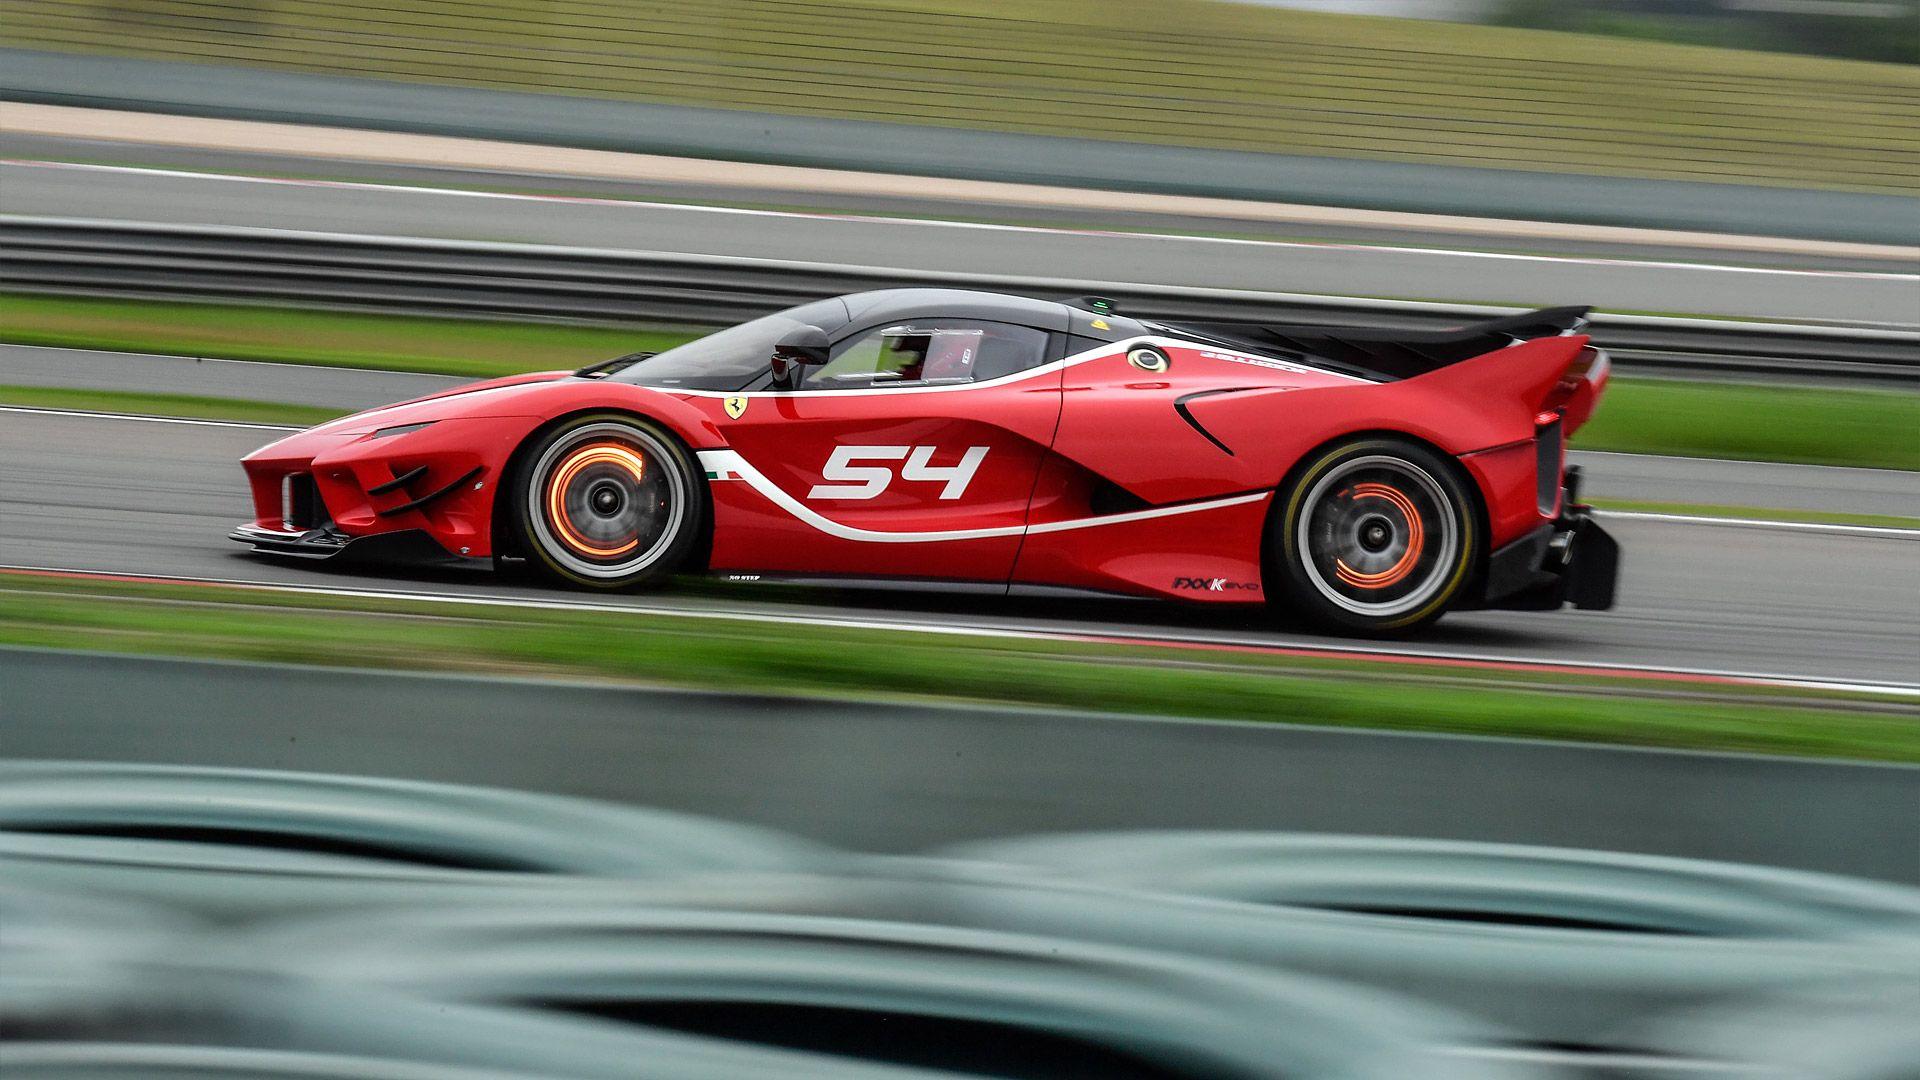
pixel 293 822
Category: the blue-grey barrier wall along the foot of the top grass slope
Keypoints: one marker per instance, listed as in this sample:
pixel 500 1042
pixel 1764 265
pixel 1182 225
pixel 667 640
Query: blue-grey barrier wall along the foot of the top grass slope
pixel 197 89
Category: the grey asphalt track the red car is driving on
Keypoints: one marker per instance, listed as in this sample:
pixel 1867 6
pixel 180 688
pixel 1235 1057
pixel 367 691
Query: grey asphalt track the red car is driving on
pixel 158 499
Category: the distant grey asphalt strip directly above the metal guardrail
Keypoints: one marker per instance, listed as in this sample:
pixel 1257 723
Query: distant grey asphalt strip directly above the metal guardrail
pixel 1345 270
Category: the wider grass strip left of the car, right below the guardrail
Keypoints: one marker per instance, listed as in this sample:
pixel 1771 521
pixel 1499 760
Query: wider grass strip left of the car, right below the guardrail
pixel 333 339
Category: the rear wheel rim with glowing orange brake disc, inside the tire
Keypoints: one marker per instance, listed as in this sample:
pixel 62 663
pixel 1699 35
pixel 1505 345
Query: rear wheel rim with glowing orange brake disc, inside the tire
pixel 1378 535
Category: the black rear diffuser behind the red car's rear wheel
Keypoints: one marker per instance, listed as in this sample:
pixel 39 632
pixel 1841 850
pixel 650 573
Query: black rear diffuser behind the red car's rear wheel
pixel 1572 560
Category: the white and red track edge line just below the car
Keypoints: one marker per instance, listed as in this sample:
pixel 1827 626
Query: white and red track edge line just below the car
pixel 1170 637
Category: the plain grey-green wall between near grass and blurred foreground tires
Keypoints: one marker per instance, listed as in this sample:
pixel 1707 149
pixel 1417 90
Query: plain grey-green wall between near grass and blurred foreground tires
pixel 907 777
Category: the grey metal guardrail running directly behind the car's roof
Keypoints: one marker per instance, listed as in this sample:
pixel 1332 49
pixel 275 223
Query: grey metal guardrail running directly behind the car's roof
pixel 462 278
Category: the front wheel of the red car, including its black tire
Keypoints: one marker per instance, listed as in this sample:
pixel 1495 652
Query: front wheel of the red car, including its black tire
pixel 606 501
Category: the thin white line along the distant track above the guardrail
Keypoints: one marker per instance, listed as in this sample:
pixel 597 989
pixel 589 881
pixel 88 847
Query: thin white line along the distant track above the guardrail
pixel 940 224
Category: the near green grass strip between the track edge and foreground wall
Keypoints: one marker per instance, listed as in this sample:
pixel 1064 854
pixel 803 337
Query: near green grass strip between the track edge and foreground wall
pixel 742 656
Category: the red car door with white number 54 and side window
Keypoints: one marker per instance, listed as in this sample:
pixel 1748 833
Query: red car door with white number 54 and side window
pixel 911 454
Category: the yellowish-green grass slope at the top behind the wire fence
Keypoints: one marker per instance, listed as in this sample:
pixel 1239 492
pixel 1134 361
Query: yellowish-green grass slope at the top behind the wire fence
pixel 1172 72
